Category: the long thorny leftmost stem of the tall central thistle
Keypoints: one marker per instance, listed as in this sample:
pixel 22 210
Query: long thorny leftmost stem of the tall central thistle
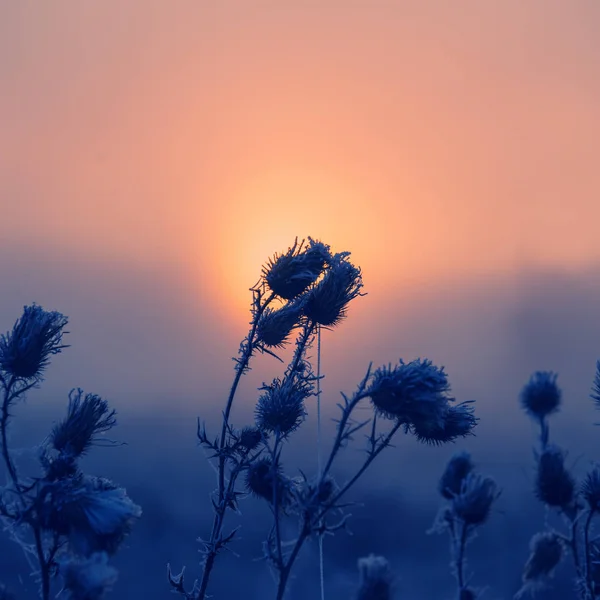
pixel 222 505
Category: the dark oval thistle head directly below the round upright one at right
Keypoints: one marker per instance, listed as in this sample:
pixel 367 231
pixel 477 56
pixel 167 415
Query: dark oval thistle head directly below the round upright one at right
pixel 554 484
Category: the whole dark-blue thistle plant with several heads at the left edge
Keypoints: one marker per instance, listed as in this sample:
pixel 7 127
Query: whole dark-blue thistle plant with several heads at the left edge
pixel 67 522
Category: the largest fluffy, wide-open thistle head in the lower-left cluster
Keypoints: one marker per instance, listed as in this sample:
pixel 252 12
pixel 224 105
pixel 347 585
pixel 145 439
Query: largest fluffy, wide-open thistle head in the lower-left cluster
pixel 95 514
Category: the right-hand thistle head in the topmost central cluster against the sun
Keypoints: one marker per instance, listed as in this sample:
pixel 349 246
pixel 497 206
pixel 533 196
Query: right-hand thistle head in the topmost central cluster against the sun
pixel 327 302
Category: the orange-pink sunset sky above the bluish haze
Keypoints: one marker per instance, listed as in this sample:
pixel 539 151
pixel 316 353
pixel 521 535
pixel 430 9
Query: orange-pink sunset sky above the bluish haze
pixel 427 137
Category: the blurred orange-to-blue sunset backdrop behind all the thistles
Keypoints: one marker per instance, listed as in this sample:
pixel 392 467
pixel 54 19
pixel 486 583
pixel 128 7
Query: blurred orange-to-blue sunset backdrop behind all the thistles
pixel 154 155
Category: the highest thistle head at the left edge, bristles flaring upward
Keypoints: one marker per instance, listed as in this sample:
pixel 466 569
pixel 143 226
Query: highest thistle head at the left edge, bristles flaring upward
pixel 26 350
